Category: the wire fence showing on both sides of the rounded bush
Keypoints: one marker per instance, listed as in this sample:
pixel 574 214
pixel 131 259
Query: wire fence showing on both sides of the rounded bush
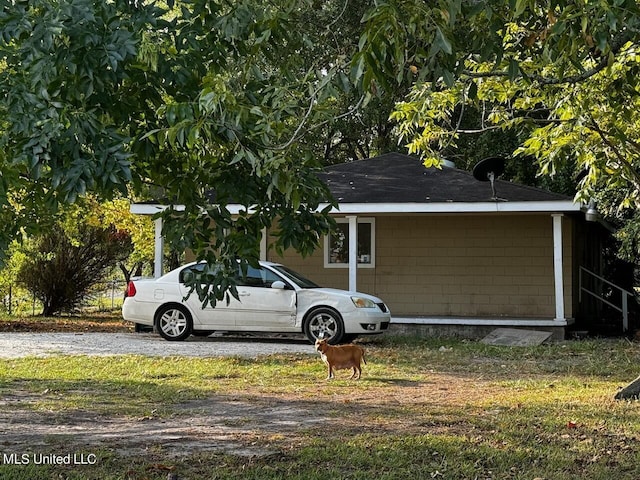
pixel 107 295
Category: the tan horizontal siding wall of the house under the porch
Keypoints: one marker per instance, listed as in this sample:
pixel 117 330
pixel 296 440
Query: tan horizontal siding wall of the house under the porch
pixel 469 266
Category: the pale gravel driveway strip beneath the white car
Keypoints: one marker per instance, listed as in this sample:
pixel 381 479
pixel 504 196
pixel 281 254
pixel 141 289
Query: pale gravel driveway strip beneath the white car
pixel 15 345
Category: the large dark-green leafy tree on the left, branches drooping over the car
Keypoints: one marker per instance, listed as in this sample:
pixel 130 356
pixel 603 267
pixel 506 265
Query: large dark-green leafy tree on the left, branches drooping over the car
pixel 191 97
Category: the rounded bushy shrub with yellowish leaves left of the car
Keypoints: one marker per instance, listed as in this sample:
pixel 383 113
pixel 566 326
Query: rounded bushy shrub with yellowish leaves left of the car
pixel 87 242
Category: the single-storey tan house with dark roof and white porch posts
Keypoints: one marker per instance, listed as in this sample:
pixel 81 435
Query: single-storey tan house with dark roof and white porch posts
pixel 446 253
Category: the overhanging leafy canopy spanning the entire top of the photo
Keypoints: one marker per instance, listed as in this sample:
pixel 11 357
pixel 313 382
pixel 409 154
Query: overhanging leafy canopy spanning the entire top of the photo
pixel 123 96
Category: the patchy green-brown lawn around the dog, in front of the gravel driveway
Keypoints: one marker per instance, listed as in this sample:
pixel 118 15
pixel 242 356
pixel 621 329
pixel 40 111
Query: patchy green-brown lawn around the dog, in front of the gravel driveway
pixel 425 408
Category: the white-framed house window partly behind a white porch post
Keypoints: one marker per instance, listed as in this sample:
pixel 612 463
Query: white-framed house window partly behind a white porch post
pixel 336 248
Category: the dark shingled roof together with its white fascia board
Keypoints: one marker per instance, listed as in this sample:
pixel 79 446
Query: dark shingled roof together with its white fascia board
pixel 396 183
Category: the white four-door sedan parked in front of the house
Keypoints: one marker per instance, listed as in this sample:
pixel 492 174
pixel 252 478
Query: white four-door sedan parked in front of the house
pixel 272 298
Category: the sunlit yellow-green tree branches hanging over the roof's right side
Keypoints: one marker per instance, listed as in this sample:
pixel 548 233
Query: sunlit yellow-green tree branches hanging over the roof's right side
pixel 562 75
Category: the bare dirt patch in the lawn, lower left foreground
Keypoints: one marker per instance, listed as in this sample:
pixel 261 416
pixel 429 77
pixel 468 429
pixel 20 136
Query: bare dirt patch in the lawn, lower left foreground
pixel 222 425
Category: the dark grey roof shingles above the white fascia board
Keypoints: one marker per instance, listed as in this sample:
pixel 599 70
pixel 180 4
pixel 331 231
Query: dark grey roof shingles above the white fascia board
pixel 398 178
